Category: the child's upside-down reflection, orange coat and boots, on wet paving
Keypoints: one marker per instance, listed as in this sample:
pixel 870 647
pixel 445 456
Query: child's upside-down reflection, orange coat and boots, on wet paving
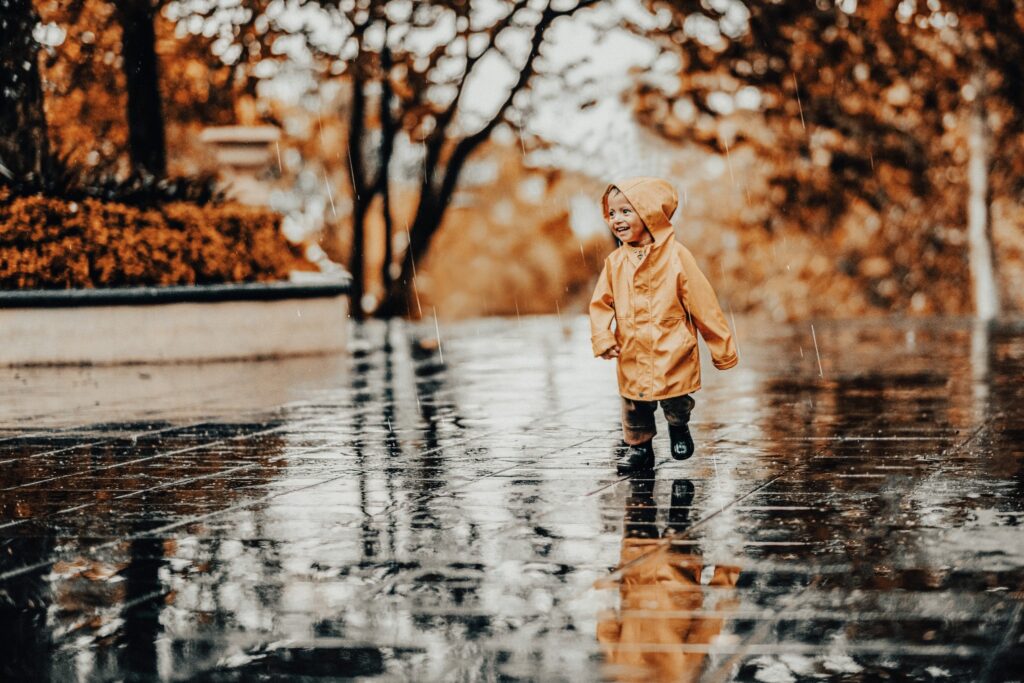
pixel 643 645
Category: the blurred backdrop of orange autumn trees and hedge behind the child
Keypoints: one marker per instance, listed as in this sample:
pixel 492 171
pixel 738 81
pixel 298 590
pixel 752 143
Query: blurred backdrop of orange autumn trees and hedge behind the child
pixel 834 158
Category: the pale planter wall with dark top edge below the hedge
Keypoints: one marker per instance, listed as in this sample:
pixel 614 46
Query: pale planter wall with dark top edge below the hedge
pixel 173 325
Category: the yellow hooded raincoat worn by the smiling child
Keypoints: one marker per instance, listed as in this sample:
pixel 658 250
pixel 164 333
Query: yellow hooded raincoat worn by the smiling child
pixel 658 307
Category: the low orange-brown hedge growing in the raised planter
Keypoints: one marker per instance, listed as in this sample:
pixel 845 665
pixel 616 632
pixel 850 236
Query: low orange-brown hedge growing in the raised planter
pixel 48 243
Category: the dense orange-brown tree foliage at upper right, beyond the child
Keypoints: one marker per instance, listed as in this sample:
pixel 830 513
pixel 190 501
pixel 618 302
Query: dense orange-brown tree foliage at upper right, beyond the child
pixel 863 106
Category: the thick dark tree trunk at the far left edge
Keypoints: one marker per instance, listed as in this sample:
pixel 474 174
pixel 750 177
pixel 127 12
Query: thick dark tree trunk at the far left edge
pixel 24 143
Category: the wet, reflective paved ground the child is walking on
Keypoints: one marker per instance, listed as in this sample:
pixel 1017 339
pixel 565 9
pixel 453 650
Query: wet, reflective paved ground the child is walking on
pixel 425 511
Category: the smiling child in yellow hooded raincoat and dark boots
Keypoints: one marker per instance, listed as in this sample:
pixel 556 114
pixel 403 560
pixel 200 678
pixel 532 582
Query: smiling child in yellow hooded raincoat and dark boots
pixel 656 294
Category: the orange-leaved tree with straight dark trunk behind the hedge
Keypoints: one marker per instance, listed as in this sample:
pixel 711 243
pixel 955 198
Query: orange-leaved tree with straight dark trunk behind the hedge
pixel 105 116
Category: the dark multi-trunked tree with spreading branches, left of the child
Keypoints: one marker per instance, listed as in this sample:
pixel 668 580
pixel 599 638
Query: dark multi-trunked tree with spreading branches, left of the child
pixel 420 95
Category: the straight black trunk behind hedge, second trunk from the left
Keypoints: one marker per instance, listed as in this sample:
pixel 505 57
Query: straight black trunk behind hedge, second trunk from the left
pixel 147 143
